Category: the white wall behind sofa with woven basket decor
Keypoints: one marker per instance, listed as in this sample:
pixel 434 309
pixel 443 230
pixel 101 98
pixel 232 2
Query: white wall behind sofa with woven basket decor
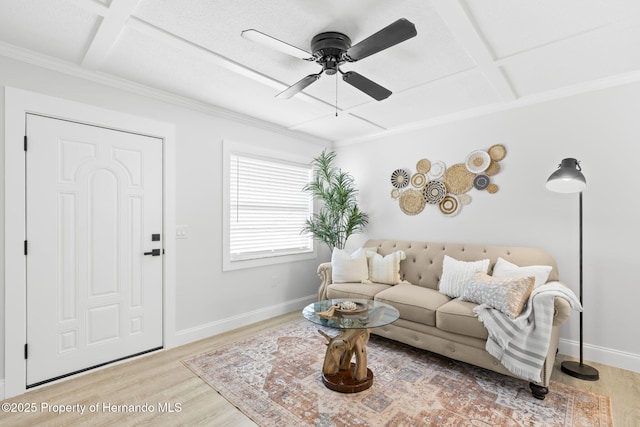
pixel 602 130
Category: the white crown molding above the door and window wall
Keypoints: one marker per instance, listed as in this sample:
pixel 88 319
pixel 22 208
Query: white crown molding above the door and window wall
pixel 64 67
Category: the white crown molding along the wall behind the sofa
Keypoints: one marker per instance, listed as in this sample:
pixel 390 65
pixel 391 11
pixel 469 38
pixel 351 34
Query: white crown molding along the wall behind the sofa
pixel 525 101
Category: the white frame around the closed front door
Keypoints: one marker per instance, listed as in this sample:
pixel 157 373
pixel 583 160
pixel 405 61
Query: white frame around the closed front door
pixel 18 102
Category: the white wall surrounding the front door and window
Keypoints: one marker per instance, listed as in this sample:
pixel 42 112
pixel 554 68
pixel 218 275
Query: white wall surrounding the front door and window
pixel 208 300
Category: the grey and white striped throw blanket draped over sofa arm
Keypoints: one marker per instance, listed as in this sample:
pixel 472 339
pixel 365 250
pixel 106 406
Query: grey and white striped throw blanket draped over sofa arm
pixel 521 344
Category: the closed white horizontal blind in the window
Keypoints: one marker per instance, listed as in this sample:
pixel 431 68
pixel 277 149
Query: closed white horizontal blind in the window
pixel 267 207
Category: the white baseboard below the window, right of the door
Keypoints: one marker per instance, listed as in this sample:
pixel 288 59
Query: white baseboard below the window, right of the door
pixel 187 336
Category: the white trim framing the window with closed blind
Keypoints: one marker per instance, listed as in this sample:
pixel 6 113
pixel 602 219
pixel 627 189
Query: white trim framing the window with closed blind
pixel 233 147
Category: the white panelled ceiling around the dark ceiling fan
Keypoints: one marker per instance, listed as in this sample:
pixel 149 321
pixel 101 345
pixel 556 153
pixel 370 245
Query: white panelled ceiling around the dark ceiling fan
pixel 469 56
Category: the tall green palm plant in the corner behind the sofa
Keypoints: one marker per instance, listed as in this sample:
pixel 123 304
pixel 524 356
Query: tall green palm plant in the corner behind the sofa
pixel 339 216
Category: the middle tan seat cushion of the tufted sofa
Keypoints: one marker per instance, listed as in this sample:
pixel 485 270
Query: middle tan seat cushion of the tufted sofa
pixel 414 303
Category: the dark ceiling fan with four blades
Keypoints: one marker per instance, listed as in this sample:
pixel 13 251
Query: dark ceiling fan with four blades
pixel 332 49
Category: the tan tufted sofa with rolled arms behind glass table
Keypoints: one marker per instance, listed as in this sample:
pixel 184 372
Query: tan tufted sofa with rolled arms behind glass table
pixel 432 321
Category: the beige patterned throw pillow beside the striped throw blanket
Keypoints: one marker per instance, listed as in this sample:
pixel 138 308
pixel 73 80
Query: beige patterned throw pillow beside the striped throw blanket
pixel 507 294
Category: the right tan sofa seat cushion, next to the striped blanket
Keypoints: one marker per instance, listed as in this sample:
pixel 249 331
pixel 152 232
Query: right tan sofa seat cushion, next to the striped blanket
pixel 457 316
